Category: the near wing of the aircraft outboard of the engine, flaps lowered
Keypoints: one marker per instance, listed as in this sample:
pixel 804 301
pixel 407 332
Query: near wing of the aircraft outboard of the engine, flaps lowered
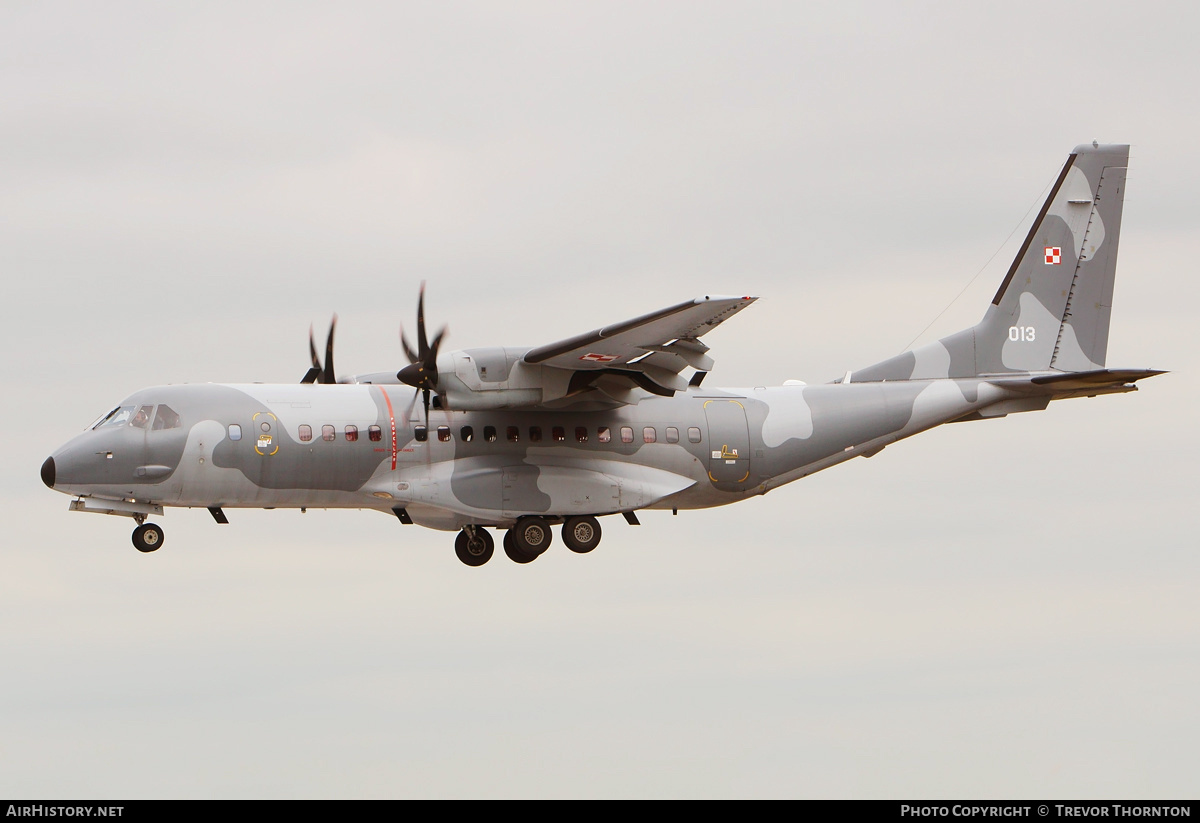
pixel 650 351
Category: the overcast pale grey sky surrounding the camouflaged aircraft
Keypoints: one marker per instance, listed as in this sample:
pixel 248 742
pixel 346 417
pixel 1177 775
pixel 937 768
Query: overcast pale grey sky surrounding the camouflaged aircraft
pixel 994 610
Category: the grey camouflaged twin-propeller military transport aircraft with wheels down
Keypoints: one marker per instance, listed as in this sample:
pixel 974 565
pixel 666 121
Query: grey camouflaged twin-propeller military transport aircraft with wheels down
pixel 605 423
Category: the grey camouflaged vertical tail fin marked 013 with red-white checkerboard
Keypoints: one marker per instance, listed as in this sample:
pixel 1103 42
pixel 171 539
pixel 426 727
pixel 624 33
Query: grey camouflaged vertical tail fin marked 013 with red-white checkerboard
pixel 1053 309
